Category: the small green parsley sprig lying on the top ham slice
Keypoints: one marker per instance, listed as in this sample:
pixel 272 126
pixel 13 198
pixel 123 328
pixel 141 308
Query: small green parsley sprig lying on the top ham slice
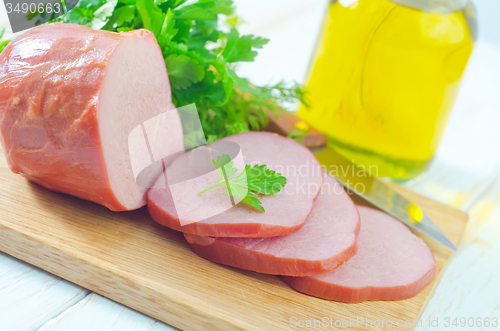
pixel 250 182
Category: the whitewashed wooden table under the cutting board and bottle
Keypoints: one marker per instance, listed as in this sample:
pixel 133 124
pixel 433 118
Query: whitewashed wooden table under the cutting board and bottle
pixel 465 174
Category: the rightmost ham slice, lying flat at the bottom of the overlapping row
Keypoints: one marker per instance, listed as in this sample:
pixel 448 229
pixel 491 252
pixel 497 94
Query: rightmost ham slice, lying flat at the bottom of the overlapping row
pixel 391 264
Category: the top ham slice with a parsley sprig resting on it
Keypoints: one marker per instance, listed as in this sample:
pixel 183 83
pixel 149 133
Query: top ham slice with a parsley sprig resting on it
pixel 285 212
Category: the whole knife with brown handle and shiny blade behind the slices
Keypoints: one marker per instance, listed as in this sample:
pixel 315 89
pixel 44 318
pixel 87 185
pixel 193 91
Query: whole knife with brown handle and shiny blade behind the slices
pixel 355 179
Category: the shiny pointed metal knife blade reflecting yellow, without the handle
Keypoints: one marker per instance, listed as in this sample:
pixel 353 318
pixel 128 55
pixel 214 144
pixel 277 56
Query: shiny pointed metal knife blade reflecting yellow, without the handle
pixel 375 191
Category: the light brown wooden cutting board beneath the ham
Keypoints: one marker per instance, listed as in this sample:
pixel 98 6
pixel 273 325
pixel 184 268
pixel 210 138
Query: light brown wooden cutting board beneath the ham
pixel 129 258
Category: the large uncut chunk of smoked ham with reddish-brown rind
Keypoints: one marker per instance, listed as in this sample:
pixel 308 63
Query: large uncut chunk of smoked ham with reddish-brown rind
pixel 70 97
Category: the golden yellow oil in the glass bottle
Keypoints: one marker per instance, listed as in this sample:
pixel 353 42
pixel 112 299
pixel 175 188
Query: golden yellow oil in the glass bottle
pixel 384 80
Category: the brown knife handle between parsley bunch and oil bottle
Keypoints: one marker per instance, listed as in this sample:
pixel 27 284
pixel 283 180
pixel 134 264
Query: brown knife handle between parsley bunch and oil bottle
pixel 285 122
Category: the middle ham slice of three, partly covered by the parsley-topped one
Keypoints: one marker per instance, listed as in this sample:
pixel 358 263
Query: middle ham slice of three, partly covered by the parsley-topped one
pixel 326 241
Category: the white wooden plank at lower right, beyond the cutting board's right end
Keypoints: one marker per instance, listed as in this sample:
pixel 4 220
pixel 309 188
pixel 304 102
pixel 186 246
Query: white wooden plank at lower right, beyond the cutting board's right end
pixel 469 287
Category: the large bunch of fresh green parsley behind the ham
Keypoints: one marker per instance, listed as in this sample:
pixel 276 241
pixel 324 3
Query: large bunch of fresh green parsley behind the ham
pixel 200 57
